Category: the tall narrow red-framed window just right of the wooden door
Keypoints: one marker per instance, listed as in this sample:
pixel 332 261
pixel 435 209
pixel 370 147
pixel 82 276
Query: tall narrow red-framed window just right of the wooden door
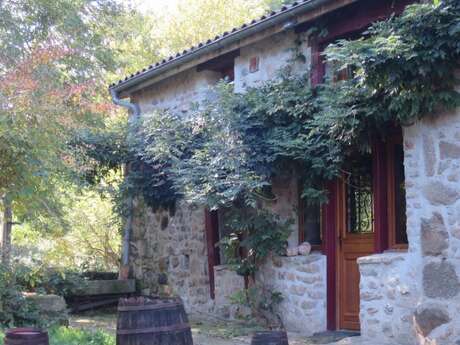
pixel 396 194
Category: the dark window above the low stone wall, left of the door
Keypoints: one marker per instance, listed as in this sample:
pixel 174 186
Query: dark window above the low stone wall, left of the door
pixel 310 224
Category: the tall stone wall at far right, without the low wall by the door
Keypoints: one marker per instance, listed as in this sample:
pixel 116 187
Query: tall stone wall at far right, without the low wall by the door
pixel 433 196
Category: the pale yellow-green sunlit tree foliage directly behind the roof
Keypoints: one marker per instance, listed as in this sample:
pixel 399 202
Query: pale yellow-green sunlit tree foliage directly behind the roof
pixel 144 38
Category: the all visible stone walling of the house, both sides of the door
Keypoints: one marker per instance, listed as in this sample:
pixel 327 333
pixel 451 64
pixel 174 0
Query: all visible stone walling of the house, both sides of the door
pixel 406 298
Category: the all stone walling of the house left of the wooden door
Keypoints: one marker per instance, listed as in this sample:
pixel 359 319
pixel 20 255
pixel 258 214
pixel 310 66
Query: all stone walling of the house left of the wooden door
pixel 172 247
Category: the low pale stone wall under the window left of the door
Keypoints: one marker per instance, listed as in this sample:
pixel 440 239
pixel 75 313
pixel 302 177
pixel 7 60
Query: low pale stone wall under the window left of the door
pixel 302 282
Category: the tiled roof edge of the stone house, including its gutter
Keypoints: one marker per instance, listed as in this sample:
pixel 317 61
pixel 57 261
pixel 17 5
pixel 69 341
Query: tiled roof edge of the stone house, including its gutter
pixel 247 29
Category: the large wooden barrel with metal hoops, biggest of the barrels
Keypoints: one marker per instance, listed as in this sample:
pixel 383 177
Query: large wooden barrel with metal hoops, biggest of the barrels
pixel 152 321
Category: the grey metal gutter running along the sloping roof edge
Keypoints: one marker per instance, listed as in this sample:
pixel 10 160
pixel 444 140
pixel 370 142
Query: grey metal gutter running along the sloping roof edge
pixel 251 29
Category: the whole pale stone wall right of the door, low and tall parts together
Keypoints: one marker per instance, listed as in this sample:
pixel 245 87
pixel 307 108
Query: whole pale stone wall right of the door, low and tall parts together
pixel 414 297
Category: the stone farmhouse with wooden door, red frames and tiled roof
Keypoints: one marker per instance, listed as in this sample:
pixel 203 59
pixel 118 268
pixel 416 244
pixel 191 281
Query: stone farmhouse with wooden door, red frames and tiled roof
pixel 395 278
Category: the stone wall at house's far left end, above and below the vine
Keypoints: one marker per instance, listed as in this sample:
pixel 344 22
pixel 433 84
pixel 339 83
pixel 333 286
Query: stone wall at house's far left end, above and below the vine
pixel 168 252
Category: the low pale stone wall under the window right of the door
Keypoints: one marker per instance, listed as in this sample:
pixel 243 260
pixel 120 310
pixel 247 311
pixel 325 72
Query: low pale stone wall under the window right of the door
pixel 389 290
